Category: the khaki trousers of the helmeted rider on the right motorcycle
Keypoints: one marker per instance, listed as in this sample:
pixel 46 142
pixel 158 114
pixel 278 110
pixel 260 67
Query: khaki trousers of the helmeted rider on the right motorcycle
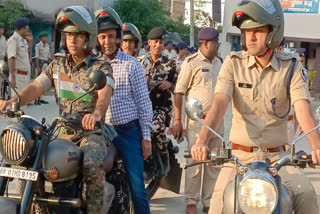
pixel 300 189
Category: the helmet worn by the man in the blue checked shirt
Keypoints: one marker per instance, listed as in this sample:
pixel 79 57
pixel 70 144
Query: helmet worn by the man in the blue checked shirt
pixel 108 18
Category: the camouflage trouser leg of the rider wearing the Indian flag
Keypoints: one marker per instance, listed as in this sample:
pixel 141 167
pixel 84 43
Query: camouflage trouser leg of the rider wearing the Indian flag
pixel 94 148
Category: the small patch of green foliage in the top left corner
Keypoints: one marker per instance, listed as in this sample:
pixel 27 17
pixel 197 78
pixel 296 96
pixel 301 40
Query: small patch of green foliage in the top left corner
pixel 9 13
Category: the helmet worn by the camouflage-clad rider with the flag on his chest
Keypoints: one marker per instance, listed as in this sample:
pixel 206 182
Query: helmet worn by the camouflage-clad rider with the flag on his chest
pixel 75 19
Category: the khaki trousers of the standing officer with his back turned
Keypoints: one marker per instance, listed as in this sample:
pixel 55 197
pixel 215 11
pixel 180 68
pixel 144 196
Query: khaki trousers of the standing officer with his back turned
pixel 193 175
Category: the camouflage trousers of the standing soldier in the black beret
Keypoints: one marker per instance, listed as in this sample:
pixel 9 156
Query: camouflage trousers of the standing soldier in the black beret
pixel 161 120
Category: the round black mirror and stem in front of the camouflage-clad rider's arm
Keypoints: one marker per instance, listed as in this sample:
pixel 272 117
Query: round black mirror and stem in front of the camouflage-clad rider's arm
pixel 97 81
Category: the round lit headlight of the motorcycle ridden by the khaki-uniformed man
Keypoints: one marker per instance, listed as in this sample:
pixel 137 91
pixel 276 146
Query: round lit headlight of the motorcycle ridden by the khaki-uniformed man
pixel 257 193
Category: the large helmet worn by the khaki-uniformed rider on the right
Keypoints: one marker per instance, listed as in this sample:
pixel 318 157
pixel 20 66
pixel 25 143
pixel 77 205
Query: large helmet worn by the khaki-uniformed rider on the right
pixel 258 13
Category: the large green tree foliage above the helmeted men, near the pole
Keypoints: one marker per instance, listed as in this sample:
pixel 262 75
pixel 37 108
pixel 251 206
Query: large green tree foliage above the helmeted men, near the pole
pixel 146 14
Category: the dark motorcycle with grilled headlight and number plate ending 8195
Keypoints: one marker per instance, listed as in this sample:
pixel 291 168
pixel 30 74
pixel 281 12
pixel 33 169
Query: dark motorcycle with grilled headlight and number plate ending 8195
pixel 50 167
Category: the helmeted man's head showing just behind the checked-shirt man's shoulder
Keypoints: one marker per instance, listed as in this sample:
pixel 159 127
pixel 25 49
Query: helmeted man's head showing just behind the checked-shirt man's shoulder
pixel 132 40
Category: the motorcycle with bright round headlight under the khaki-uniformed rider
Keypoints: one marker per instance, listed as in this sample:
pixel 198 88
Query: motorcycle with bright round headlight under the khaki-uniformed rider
pixel 241 195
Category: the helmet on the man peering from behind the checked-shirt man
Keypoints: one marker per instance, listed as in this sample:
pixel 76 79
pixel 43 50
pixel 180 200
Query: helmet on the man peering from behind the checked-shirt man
pixel 131 32
